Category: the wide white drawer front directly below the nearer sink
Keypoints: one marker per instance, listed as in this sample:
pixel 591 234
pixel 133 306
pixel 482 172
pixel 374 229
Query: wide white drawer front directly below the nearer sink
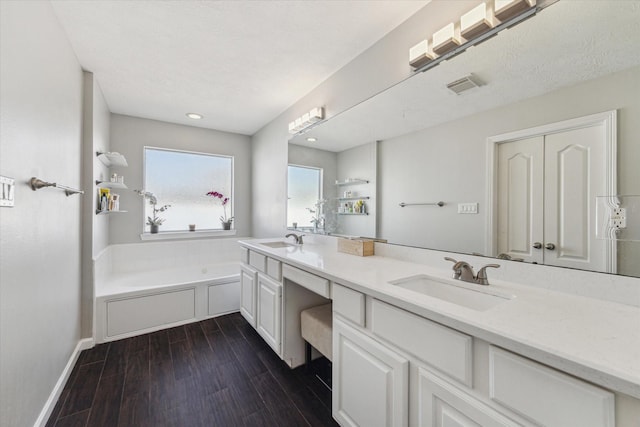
pixel 443 348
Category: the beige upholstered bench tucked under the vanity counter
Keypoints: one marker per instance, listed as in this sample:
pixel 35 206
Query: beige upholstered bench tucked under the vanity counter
pixel 317 327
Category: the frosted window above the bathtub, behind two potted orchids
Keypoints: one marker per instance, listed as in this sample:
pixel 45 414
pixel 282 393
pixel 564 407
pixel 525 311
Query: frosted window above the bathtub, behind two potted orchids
pixel 182 179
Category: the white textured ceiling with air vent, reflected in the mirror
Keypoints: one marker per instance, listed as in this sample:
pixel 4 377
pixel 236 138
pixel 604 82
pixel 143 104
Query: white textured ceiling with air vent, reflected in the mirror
pixel 569 42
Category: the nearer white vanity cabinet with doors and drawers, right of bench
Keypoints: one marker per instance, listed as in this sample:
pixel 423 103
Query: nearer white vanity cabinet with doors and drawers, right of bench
pixel 404 369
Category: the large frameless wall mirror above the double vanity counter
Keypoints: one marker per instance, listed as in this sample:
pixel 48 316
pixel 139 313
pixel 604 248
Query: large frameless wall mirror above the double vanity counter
pixel 418 143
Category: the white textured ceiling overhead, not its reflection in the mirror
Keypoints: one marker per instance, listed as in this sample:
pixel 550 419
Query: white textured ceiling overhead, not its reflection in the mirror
pixel 239 63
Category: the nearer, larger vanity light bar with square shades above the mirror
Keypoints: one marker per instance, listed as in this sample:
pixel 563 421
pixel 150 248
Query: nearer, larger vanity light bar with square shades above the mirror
pixel 480 23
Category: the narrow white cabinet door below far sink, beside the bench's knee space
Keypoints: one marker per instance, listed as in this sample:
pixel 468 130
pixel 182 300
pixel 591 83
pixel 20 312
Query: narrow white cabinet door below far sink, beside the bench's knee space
pixel 269 312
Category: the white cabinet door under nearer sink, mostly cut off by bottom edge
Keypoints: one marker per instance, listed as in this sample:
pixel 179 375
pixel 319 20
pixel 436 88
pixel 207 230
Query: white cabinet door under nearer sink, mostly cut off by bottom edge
pixel 441 404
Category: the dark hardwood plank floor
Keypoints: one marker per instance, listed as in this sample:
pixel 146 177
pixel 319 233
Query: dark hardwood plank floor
pixel 218 372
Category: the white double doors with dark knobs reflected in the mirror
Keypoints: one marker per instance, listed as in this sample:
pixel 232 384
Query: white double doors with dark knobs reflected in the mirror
pixel 546 190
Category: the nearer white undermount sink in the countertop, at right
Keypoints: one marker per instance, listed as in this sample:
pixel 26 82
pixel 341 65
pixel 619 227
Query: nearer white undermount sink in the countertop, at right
pixel 468 295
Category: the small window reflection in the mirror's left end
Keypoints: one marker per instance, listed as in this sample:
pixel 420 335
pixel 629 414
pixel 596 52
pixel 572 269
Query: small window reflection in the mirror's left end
pixel 305 189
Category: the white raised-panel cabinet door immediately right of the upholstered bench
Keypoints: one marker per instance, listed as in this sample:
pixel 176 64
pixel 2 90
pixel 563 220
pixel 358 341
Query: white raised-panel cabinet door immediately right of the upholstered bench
pixel 370 382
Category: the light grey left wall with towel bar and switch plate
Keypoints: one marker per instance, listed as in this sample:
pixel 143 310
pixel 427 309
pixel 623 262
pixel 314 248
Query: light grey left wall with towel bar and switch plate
pixel 40 135
